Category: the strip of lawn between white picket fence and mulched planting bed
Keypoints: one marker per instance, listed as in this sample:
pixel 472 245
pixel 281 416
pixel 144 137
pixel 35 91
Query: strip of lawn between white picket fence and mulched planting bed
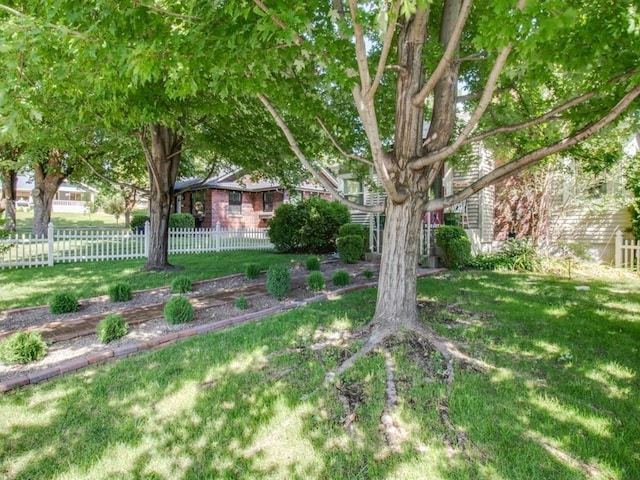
pixel 34 286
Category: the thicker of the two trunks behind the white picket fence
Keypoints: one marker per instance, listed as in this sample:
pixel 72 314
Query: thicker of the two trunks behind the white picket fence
pixel 48 176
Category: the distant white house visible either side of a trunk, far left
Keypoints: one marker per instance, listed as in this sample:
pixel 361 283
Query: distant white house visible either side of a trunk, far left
pixel 69 198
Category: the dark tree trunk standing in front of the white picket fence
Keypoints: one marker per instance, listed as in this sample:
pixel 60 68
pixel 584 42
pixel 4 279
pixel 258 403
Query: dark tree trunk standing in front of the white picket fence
pixel 163 159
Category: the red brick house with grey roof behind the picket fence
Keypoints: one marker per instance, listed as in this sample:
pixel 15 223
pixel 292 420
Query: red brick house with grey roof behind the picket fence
pixel 234 200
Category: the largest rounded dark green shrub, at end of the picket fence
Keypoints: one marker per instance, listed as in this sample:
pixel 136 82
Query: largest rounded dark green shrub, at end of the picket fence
pixel 309 226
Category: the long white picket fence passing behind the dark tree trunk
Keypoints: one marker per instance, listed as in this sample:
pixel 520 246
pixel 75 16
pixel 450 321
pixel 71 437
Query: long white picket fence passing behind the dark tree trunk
pixel 63 245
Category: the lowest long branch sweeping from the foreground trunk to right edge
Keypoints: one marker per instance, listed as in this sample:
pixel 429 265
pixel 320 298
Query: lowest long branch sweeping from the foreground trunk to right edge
pixel 533 157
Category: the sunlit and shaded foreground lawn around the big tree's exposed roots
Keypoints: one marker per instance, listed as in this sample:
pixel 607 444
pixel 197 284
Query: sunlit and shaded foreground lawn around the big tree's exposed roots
pixel 558 400
